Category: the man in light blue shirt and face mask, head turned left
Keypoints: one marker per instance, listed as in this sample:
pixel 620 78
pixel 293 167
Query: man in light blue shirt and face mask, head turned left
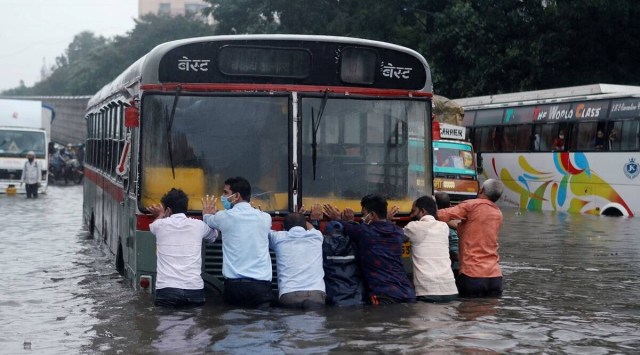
pixel 246 262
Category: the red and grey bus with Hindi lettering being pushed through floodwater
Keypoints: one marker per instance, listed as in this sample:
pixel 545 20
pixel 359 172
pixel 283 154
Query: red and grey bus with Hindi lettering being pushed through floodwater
pixel 306 119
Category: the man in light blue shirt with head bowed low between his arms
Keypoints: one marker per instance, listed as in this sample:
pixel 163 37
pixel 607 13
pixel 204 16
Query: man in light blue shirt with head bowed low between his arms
pixel 299 260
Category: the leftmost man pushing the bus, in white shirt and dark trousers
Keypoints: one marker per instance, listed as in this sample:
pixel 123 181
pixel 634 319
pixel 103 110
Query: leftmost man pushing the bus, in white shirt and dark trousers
pixel 179 251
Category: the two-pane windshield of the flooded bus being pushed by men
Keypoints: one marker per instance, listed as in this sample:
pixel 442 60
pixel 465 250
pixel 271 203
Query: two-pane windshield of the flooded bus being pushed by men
pixel 361 147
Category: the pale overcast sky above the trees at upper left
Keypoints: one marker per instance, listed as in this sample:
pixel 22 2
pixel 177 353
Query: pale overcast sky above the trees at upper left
pixel 31 30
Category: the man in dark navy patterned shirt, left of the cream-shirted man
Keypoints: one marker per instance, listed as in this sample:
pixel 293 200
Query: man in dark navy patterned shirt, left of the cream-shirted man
pixel 379 249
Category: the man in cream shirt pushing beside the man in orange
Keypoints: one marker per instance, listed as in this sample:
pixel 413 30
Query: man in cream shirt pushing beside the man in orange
pixel 432 274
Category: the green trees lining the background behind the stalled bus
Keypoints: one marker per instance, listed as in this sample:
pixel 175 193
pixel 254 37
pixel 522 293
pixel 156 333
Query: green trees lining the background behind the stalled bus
pixel 474 47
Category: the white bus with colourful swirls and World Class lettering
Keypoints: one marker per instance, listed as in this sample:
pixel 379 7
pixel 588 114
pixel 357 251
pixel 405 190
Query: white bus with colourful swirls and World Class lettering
pixel 573 149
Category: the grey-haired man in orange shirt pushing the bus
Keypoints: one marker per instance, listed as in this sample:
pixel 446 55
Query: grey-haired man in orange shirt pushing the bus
pixel 480 274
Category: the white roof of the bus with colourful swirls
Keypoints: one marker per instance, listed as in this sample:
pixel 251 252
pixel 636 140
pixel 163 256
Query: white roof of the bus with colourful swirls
pixel 573 93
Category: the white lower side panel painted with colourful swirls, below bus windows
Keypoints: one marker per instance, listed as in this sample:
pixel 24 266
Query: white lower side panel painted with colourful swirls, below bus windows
pixel 589 183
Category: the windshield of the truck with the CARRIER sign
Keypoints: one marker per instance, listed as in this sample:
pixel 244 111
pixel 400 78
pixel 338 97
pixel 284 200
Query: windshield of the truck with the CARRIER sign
pixel 452 157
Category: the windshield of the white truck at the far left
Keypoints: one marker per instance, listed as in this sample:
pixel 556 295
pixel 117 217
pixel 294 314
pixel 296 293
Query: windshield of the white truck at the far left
pixel 16 143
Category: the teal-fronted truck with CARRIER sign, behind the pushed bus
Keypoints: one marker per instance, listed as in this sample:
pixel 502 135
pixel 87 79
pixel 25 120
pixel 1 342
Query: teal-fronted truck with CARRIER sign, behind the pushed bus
pixel 454 166
